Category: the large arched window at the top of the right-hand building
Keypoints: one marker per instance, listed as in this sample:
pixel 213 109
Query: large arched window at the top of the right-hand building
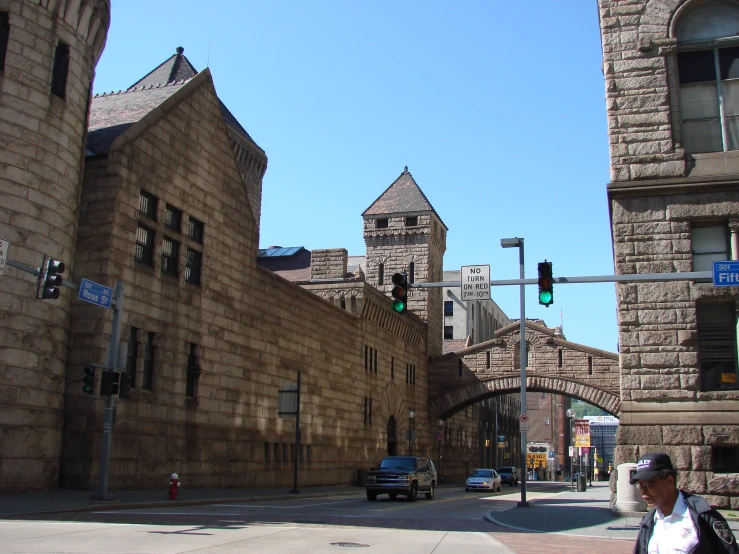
pixel 708 73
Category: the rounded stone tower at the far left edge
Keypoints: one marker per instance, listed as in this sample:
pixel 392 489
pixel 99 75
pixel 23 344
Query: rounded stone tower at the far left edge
pixel 48 53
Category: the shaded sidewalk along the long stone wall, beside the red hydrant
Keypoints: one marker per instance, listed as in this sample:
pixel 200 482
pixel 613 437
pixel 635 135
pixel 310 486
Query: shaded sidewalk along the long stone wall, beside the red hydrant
pixel 70 500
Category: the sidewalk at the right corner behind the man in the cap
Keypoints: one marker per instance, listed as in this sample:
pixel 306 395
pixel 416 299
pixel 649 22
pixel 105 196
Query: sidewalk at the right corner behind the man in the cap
pixel 576 513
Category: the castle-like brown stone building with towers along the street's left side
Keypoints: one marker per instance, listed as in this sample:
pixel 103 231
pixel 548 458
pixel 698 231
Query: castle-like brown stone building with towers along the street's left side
pixel 159 186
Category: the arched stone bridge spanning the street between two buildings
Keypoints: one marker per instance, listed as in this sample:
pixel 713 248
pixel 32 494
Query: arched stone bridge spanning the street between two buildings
pixel 491 368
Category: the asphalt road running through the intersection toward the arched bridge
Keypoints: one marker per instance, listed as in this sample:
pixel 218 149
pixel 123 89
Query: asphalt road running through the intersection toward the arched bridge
pixel 452 521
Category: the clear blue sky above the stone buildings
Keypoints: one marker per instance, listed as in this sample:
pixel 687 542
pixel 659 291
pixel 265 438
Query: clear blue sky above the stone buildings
pixel 497 109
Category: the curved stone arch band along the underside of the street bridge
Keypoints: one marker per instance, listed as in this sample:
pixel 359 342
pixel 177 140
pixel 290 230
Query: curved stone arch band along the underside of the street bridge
pixel 452 401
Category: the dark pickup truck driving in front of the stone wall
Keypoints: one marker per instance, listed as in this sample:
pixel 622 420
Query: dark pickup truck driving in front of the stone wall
pixel 406 475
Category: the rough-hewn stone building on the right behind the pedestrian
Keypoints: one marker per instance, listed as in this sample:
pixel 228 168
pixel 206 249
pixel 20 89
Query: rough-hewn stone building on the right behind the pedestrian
pixel 670 69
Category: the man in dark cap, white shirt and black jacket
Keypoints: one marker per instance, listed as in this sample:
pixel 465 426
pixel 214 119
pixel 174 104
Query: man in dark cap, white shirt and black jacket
pixel 677 521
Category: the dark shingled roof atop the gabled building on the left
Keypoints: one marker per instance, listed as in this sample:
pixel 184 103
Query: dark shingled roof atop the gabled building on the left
pixel 112 113
